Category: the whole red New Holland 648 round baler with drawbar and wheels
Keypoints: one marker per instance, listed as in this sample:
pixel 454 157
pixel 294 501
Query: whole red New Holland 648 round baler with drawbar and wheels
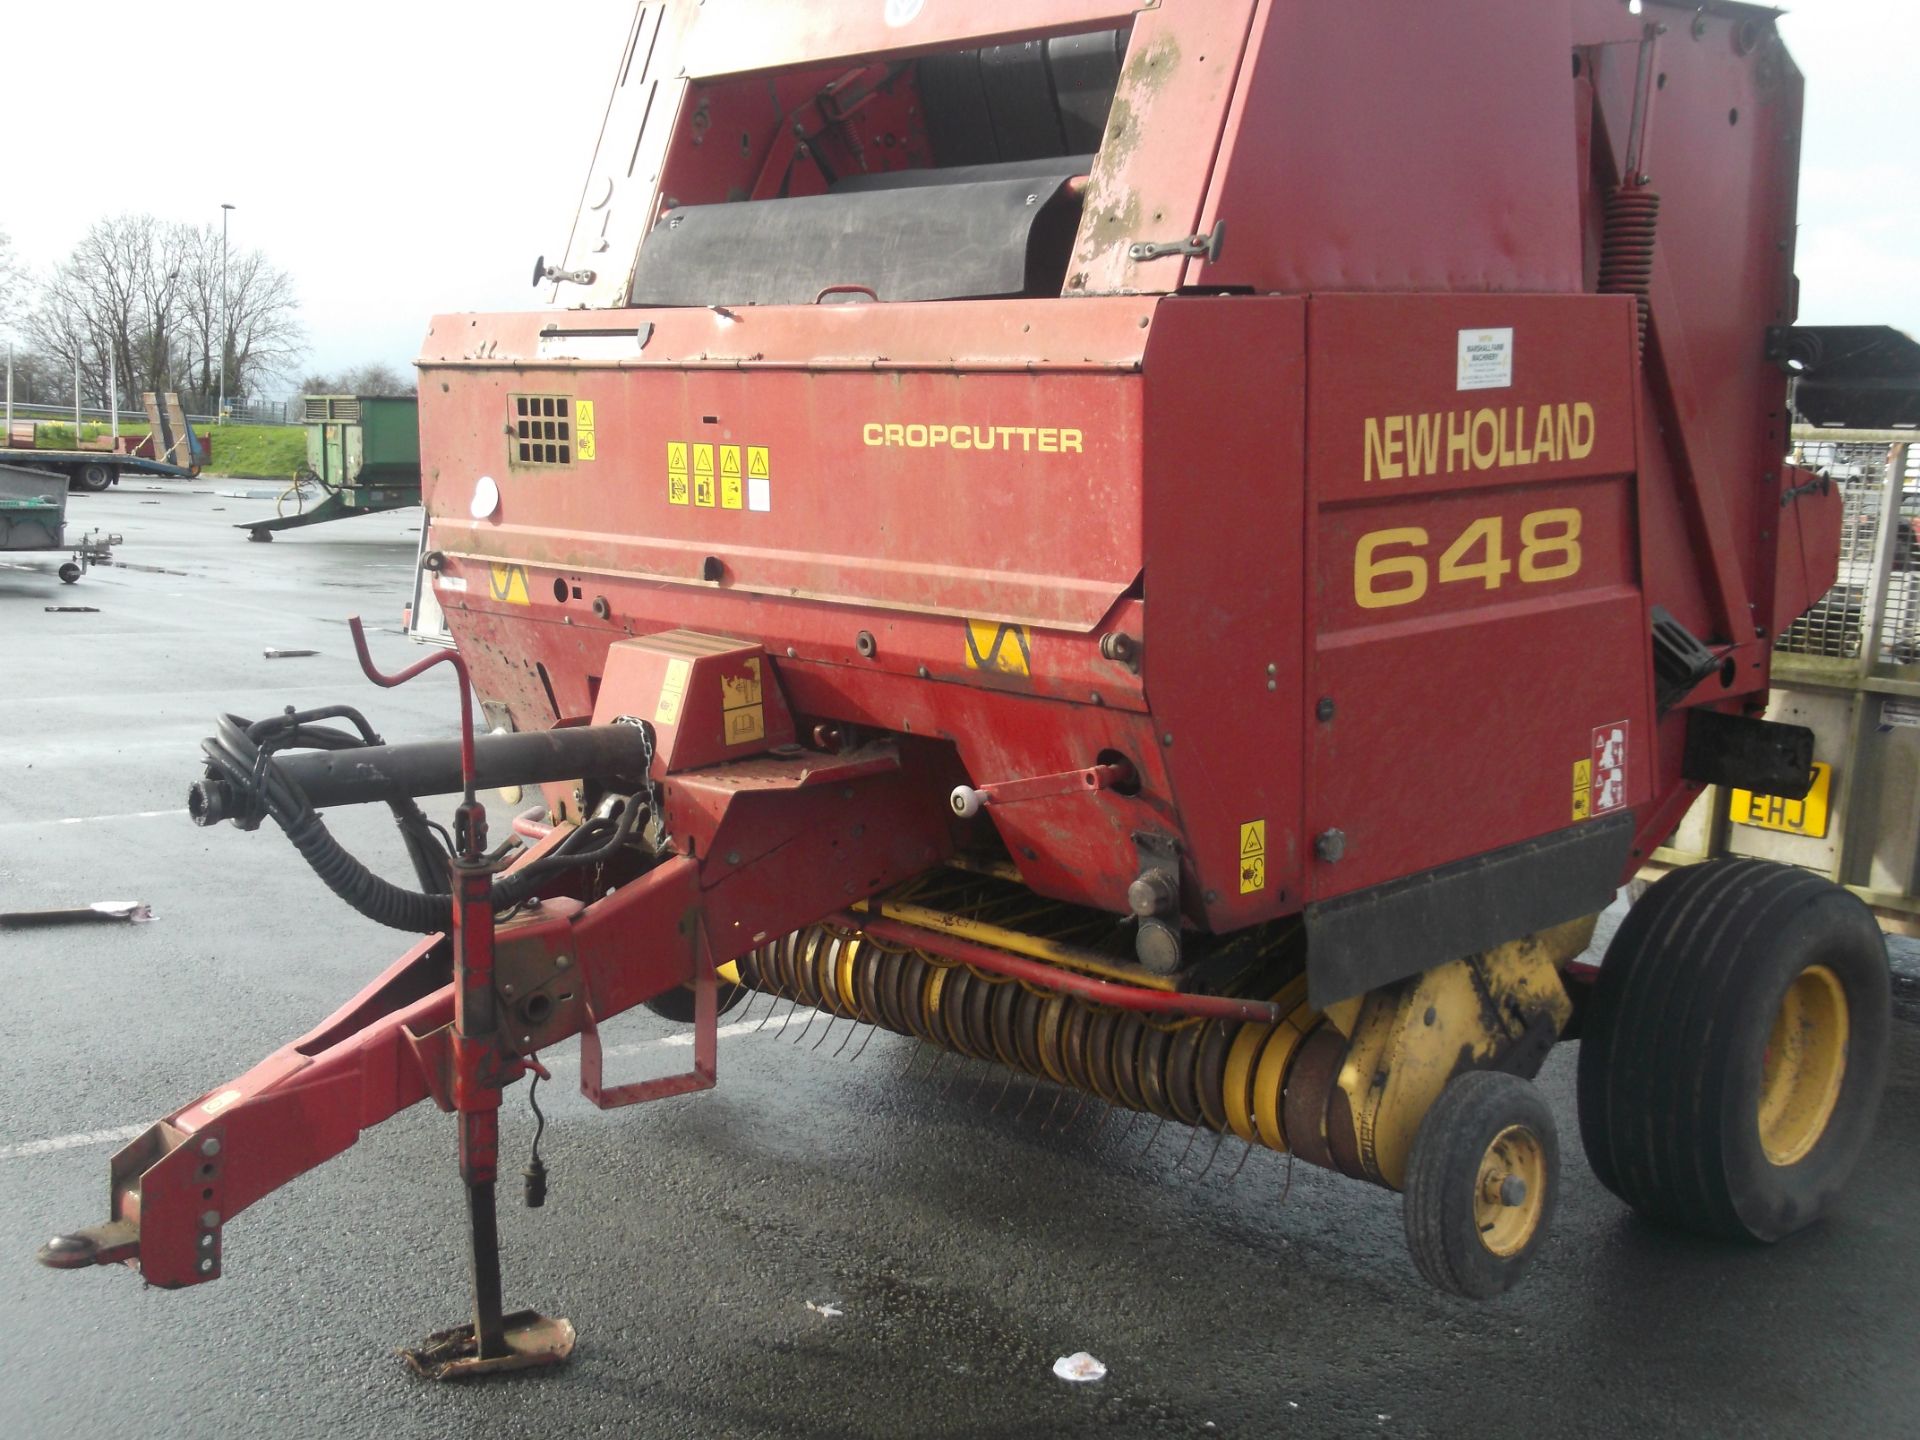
pixel 1178 546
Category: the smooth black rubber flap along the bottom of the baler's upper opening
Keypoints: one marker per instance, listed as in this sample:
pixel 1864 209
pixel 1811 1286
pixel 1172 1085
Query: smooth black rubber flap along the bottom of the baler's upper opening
pixel 969 241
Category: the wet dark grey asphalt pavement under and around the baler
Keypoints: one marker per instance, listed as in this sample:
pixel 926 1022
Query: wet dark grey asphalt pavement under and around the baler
pixel 821 1247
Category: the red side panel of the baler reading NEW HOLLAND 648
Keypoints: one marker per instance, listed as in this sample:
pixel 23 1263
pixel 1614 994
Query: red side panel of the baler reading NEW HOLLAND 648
pixel 1474 600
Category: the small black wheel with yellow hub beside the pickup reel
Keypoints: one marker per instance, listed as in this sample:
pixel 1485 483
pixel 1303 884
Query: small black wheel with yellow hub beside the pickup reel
pixel 1481 1184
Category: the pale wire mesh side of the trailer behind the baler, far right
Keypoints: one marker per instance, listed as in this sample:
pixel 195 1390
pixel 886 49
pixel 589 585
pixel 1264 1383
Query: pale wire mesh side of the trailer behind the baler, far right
pixel 1838 625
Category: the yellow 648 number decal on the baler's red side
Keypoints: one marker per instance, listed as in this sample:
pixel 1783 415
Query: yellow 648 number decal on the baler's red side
pixel 1395 567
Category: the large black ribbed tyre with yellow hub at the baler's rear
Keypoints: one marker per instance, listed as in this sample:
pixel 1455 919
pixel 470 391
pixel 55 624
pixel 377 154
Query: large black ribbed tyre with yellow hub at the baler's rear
pixel 1735 1049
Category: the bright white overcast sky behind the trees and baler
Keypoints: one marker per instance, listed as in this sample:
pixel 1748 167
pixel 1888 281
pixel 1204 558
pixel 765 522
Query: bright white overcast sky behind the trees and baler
pixel 408 158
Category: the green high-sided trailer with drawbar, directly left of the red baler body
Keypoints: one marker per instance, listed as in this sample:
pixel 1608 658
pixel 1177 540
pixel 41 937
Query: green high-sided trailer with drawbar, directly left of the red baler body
pixel 364 452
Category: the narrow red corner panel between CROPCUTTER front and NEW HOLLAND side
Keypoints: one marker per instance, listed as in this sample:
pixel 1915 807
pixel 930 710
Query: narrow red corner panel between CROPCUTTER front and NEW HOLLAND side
pixel 1226 485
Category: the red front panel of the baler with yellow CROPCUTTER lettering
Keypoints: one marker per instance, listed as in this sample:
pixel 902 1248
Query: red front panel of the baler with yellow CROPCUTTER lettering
pixel 992 496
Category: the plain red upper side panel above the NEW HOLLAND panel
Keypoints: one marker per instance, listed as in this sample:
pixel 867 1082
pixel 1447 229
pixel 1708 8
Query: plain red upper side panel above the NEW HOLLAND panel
pixel 1401 147
